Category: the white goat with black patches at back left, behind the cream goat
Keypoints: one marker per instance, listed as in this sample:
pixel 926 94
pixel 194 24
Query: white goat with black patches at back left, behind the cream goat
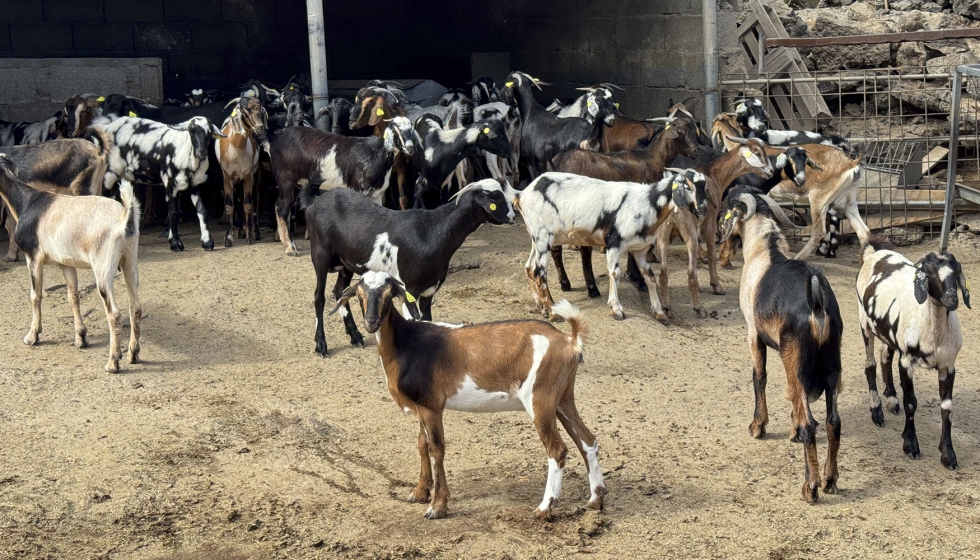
pixel 175 155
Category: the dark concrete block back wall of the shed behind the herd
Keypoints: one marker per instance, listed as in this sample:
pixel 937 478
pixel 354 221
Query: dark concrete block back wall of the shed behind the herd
pixel 650 47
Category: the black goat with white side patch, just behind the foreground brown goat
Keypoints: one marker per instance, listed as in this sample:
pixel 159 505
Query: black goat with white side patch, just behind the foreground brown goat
pixel 349 234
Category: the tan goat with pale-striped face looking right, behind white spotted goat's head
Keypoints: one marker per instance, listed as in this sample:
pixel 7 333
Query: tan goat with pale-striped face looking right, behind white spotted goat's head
pixel 719 174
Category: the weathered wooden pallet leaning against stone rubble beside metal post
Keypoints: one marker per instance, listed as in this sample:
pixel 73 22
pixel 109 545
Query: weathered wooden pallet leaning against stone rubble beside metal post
pixel 795 106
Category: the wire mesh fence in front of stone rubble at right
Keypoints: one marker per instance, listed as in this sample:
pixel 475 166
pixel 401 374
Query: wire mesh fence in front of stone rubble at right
pixel 897 120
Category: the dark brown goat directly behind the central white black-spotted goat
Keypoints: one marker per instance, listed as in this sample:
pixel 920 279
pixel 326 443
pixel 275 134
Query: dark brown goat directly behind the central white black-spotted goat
pixel 637 166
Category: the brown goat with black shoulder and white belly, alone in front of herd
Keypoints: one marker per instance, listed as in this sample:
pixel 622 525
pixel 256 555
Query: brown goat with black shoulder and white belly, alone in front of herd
pixel 491 367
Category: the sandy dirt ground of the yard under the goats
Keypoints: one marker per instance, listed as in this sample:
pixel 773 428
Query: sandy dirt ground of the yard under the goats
pixel 235 440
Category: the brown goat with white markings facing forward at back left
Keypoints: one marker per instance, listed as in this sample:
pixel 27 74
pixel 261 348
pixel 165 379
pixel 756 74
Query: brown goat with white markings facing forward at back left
pixel 238 155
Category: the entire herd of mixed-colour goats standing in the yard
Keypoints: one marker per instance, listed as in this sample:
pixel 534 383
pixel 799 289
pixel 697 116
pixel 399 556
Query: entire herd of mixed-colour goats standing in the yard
pixel 597 179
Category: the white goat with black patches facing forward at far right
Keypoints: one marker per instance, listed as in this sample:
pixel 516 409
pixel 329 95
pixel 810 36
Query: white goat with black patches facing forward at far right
pixel 911 309
